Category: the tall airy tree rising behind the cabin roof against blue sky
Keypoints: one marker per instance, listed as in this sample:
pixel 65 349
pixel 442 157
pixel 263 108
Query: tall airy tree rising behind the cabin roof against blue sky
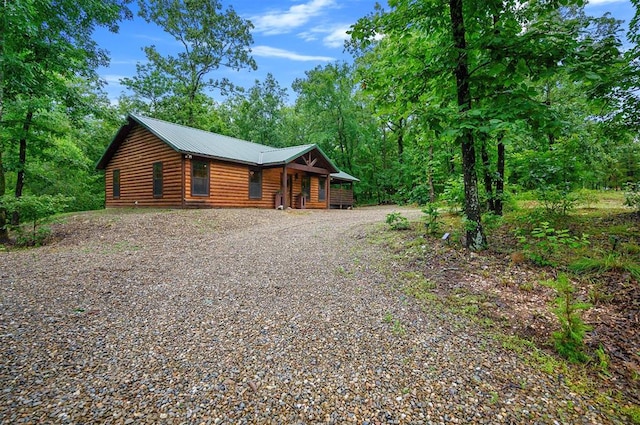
pixel 210 39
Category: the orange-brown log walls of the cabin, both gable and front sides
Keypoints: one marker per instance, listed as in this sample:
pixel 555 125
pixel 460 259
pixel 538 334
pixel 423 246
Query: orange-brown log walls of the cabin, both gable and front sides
pixel 228 182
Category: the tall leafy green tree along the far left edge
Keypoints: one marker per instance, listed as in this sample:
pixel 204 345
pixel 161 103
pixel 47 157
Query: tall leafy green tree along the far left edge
pixel 44 45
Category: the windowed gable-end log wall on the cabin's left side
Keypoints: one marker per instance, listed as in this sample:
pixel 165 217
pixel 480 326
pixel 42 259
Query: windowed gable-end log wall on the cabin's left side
pixel 135 159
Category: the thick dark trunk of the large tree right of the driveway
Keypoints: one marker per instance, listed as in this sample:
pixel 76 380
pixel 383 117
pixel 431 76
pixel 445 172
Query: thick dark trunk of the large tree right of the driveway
pixel 475 239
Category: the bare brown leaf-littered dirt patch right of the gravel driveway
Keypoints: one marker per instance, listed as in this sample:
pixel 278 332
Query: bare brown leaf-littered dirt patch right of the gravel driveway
pixel 509 292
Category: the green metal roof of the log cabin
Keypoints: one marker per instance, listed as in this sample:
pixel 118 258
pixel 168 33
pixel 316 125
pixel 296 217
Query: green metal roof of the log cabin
pixel 189 140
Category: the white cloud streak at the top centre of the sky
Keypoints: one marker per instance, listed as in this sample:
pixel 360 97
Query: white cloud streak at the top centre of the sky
pixel 282 22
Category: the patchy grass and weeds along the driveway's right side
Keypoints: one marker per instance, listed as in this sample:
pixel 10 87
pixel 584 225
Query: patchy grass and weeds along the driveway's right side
pixel 612 247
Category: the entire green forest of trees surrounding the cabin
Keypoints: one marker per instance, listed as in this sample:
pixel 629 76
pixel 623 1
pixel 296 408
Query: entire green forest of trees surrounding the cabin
pixel 455 101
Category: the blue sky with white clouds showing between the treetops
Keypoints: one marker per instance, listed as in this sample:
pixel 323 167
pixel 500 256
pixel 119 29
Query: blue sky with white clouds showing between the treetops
pixel 290 37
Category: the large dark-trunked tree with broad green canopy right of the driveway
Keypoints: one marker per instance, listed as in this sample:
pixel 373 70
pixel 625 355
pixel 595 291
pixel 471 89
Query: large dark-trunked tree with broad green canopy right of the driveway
pixel 498 63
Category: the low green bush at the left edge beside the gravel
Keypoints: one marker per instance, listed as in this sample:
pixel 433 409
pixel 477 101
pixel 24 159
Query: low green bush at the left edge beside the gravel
pixel 35 210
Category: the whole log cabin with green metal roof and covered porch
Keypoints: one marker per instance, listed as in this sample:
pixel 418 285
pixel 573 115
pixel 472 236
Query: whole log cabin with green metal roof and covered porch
pixel 156 163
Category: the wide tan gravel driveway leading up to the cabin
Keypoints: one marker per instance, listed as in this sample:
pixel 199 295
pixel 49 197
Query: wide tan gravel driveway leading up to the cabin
pixel 245 316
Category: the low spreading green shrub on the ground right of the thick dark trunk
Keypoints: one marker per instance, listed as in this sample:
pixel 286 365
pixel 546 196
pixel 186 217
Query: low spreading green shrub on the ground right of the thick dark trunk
pixel 544 243
